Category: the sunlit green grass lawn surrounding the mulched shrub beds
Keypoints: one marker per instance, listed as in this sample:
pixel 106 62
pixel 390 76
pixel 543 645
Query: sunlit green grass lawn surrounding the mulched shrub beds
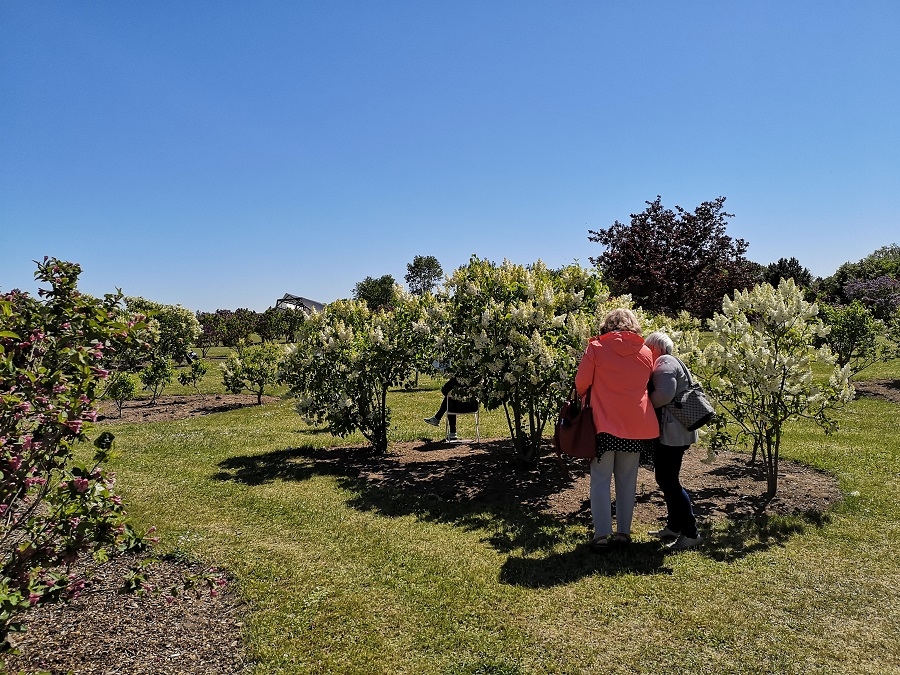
pixel 333 585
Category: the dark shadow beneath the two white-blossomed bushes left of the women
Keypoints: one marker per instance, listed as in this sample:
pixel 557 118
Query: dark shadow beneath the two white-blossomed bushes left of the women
pixel 481 490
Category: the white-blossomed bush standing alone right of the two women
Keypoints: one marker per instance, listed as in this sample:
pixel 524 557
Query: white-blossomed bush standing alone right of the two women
pixel 759 369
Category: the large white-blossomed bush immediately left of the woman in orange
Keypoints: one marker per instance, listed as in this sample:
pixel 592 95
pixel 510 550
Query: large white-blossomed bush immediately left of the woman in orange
pixel 513 336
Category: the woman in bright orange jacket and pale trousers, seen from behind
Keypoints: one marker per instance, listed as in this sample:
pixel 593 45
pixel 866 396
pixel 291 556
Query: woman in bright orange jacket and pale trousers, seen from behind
pixel 616 367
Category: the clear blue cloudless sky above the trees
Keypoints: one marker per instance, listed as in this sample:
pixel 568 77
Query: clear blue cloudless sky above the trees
pixel 219 154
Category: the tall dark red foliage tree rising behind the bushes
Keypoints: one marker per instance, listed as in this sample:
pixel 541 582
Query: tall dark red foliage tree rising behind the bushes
pixel 670 261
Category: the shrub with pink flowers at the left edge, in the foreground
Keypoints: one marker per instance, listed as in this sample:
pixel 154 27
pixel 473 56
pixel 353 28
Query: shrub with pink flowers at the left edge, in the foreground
pixel 52 351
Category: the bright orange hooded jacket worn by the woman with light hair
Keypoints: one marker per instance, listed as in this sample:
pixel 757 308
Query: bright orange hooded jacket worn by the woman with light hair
pixel 617 367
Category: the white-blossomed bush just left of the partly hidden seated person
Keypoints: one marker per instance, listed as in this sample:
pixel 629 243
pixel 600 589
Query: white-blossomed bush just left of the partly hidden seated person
pixel 348 356
